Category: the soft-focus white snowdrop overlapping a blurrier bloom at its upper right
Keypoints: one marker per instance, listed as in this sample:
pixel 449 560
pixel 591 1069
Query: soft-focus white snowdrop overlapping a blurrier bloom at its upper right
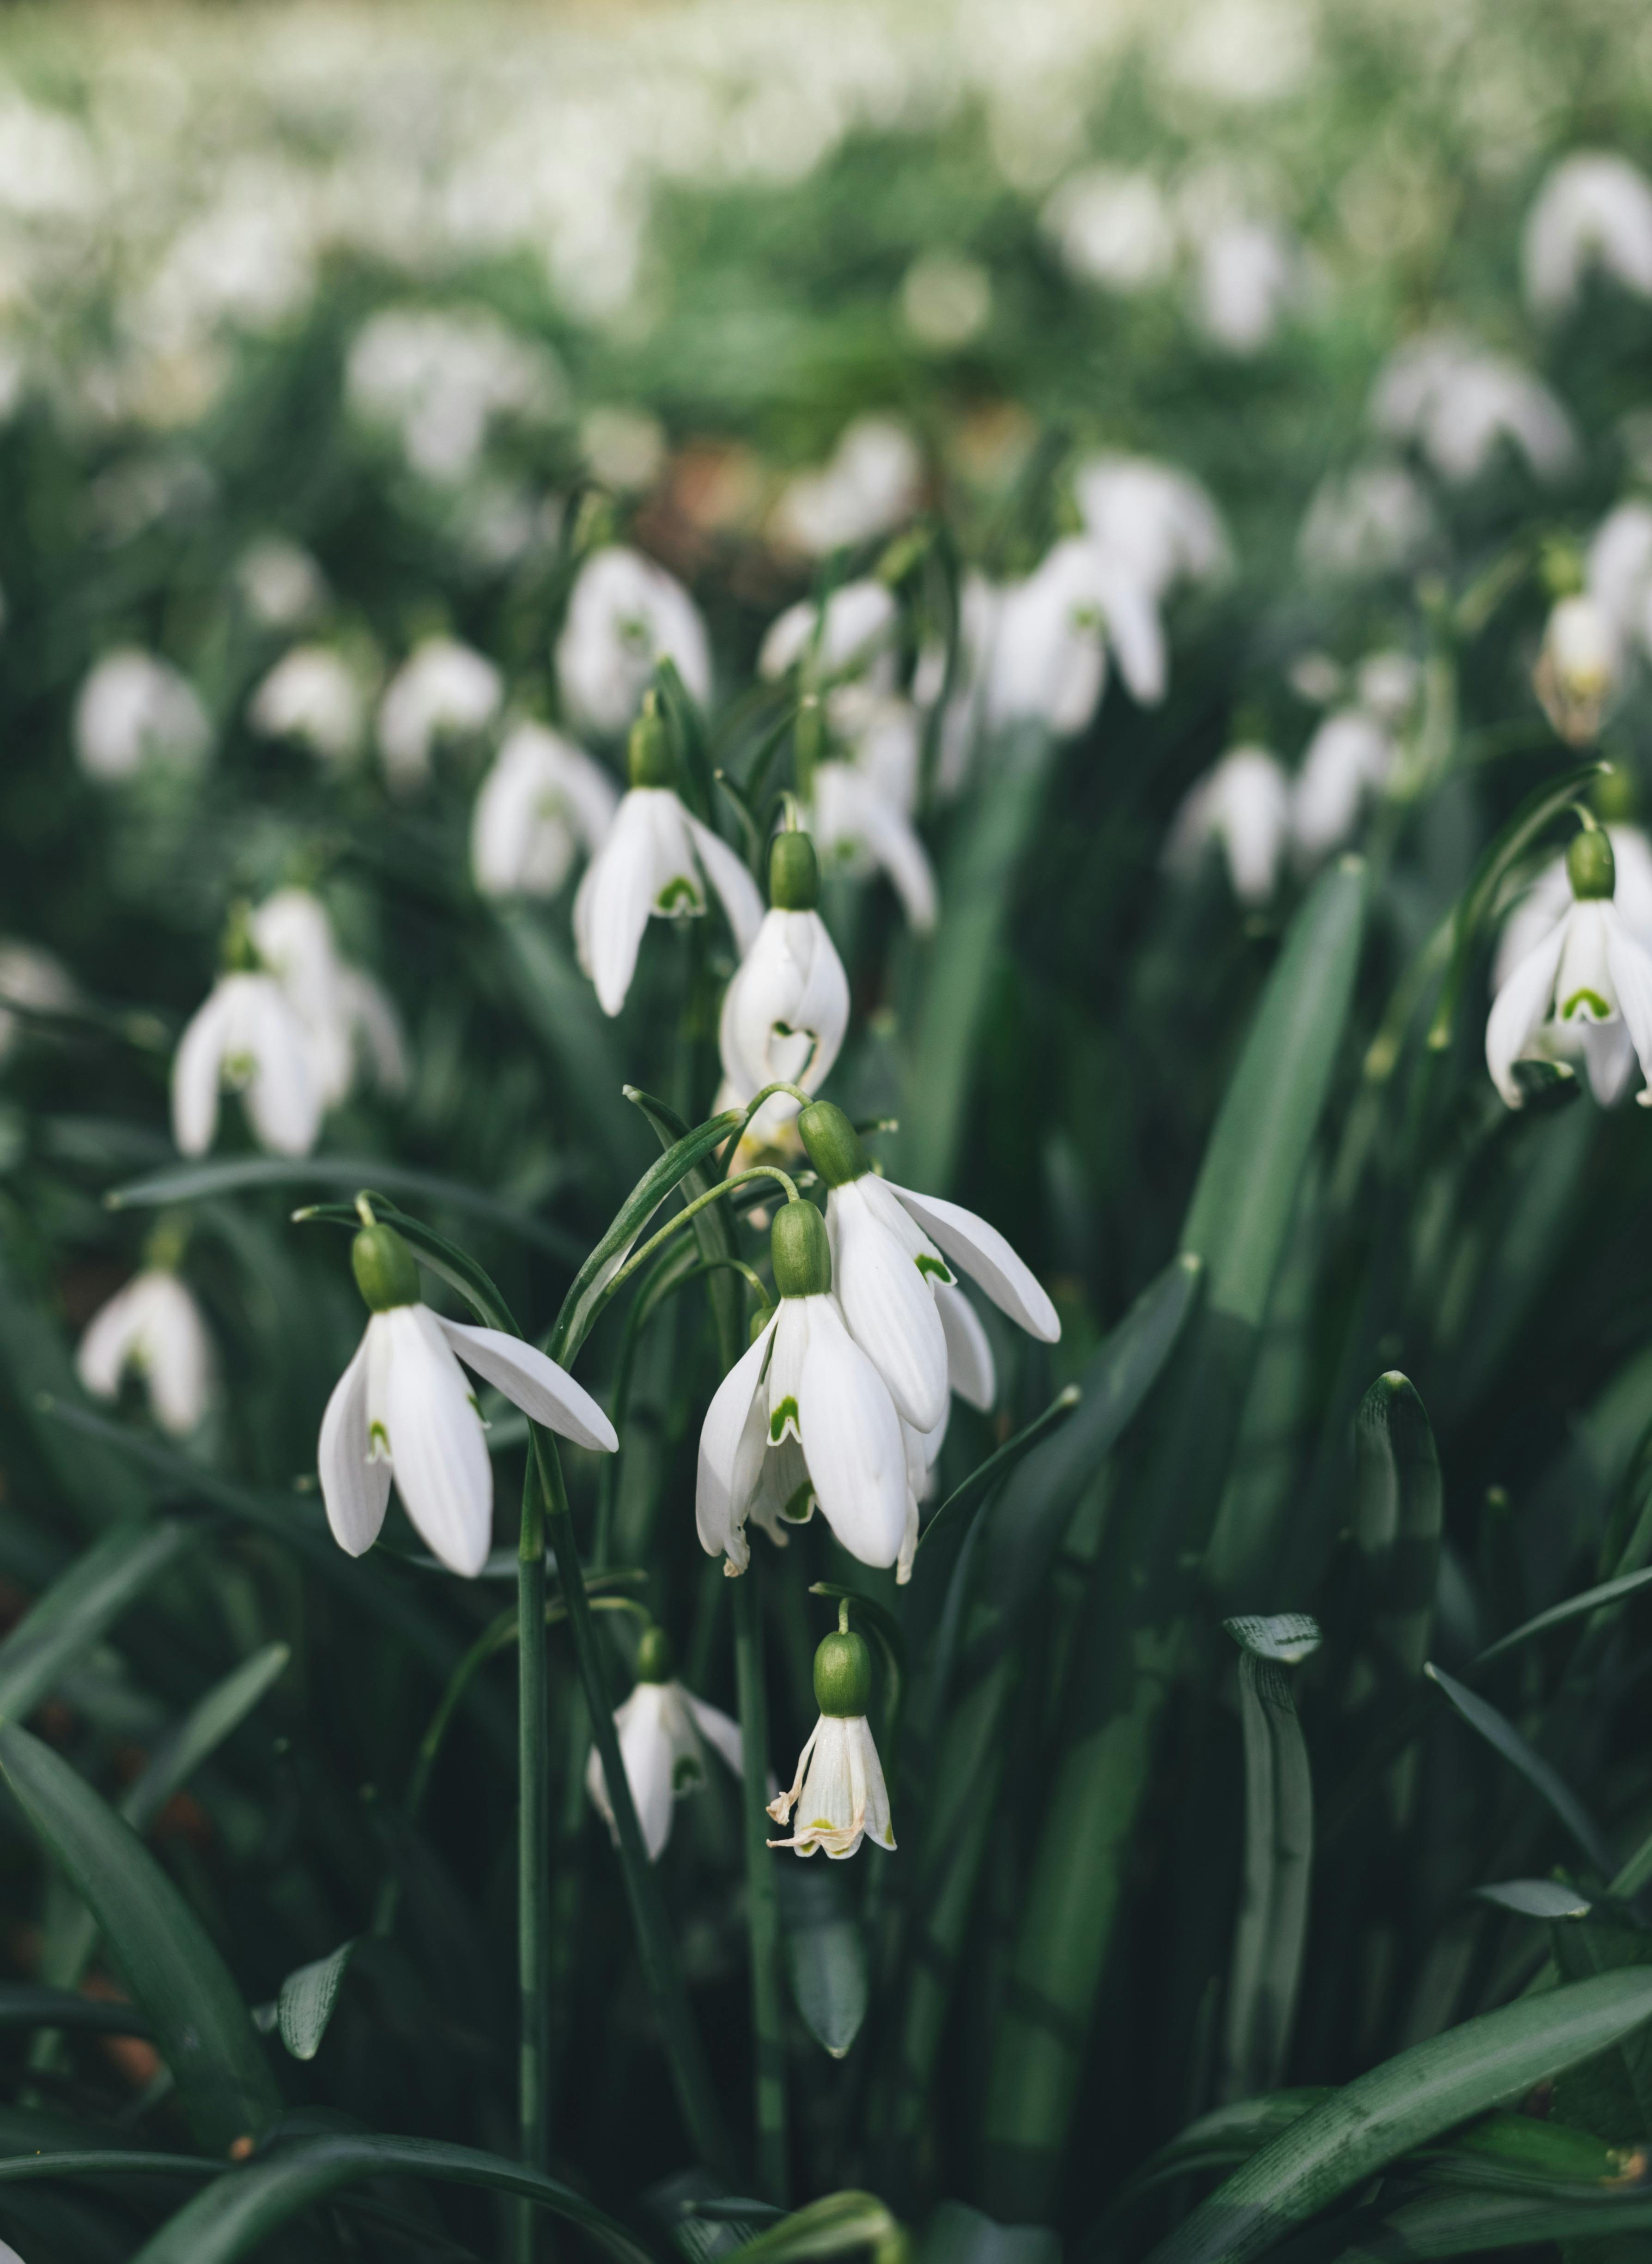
pixel 1056 633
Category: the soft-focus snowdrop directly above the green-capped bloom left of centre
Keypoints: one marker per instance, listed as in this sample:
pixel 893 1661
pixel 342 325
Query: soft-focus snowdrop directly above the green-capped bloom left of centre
pixel 626 615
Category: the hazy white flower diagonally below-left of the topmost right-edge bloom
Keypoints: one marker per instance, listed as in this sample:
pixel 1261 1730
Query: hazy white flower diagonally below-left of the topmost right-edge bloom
pixel 1463 404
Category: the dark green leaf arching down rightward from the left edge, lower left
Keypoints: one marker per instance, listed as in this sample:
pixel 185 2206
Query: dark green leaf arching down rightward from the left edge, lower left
pixel 173 1971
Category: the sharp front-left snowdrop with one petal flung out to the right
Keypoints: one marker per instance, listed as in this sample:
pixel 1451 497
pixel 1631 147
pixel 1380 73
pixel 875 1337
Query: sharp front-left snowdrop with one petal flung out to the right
pixel 406 1409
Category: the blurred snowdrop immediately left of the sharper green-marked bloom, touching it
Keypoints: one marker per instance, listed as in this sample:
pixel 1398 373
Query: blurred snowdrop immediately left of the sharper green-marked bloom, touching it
pixel 542 803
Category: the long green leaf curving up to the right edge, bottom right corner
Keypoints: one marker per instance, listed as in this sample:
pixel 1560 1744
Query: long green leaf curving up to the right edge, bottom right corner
pixel 1402 2104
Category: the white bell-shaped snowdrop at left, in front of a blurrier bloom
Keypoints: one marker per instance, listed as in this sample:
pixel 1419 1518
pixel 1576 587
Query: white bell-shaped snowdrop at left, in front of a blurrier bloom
pixel 250 1038
